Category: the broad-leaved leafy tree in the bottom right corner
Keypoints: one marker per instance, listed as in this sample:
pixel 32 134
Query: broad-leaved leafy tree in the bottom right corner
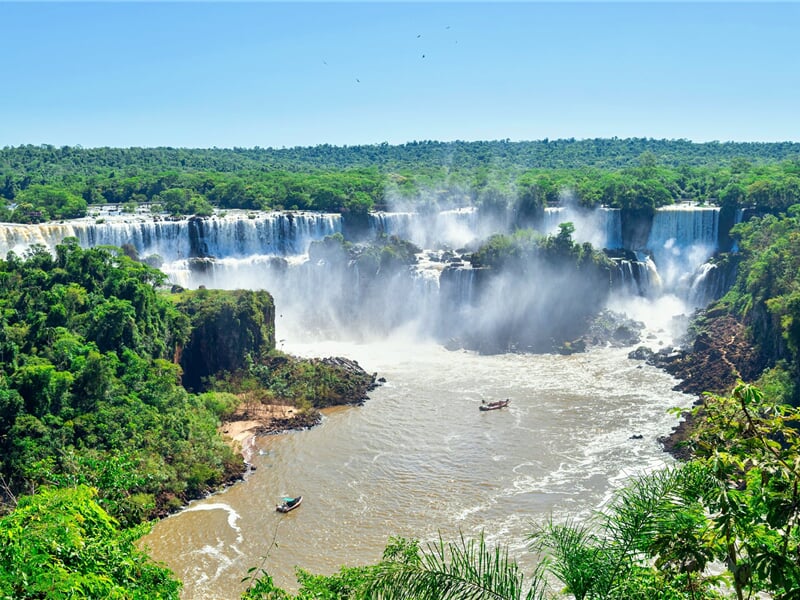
pixel 751 449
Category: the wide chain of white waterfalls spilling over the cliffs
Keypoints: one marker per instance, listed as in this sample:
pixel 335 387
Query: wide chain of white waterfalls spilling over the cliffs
pixel 441 294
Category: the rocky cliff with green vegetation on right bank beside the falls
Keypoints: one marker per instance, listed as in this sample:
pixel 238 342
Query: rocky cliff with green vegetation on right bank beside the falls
pixel 753 332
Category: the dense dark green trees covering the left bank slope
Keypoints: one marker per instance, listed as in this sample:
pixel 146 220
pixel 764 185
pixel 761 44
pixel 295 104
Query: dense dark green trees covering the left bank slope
pixel 89 393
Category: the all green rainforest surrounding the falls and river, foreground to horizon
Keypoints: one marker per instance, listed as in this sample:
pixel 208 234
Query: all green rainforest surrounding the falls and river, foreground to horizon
pixel 103 425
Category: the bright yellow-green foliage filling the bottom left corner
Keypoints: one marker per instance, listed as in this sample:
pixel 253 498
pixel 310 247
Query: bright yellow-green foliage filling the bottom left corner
pixel 62 544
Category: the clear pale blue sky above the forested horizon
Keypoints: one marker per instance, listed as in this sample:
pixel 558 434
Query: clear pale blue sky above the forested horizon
pixel 294 74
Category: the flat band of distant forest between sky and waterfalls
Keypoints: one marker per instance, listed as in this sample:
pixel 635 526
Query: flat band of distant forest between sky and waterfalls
pixel 39 183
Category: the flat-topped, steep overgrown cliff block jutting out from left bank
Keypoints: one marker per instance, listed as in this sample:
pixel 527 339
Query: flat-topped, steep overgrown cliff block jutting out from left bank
pixel 227 327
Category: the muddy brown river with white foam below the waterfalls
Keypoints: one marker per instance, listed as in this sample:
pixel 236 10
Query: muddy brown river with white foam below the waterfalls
pixel 419 460
